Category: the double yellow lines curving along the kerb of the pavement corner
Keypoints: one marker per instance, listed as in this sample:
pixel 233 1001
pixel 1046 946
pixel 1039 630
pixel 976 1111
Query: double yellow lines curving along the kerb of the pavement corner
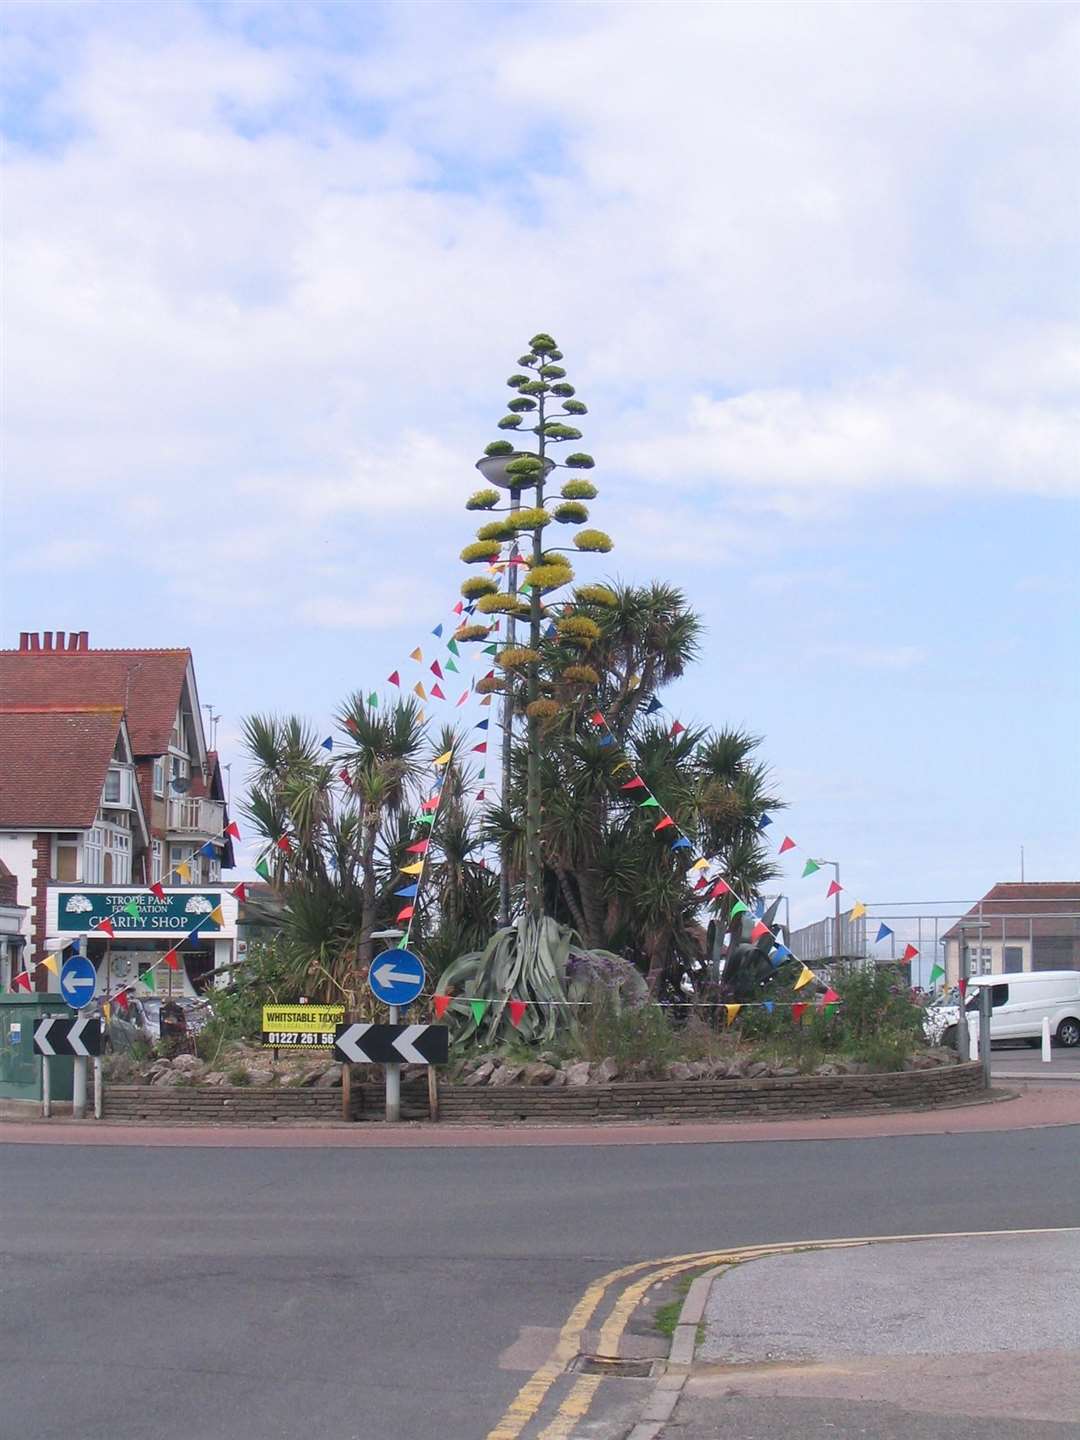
pixel 531 1398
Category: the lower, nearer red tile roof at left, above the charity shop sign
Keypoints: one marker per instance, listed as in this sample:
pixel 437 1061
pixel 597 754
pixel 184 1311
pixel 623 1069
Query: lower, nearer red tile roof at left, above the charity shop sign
pixel 53 765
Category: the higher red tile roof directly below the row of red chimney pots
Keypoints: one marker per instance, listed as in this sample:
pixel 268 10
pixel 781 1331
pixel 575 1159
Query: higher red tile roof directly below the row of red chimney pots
pixel 145 683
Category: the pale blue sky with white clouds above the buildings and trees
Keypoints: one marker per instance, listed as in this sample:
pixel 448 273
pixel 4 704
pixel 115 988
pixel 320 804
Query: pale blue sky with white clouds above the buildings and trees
pixel 814 271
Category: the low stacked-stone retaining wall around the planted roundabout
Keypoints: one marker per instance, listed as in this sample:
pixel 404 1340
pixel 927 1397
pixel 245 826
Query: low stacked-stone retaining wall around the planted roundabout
pixel 780 1099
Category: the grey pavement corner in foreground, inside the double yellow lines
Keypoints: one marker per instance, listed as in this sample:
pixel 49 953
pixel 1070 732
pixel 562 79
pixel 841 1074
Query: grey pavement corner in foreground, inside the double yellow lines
pixel 925 1340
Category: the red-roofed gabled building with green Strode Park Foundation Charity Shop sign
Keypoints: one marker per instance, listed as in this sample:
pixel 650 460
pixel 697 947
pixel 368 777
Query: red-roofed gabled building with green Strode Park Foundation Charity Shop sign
pixel 107 787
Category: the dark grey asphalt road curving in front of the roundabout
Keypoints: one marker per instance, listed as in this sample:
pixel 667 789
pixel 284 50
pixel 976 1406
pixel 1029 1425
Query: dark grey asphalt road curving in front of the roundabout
pixel 369 1294
